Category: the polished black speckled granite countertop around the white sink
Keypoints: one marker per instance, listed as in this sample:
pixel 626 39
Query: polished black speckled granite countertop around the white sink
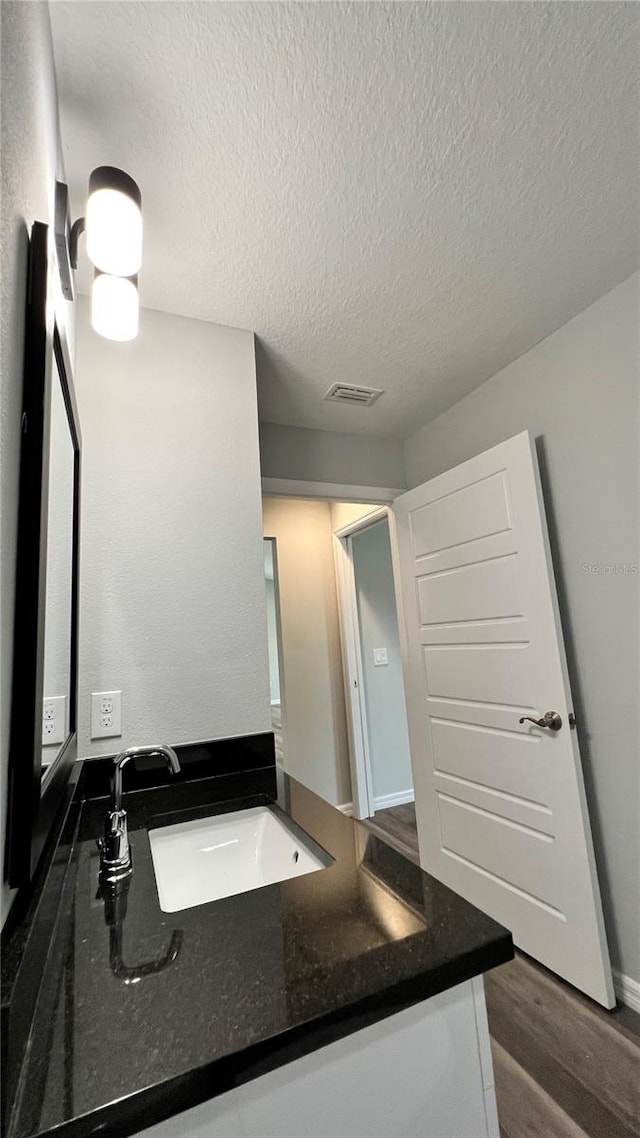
pixel 124 1036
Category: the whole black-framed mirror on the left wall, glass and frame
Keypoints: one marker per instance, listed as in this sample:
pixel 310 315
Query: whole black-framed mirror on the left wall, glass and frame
pixel 44 703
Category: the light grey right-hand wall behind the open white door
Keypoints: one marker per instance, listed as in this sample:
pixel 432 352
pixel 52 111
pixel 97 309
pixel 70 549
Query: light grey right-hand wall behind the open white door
pixel 577 392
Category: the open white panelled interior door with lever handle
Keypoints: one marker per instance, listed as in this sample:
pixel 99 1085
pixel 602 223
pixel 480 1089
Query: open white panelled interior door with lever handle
pixel 500 805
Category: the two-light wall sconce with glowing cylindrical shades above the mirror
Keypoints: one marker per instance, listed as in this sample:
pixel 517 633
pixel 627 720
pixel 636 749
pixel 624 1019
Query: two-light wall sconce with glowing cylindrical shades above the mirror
pixel 113 225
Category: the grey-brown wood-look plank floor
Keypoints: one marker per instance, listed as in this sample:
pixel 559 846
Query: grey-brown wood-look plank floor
pixel 564 1067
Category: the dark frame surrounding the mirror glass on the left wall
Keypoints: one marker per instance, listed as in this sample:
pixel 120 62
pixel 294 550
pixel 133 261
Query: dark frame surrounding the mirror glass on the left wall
pixel 35 796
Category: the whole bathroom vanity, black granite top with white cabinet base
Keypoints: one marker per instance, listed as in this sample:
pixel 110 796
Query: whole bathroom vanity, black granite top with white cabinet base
pixel 344 1001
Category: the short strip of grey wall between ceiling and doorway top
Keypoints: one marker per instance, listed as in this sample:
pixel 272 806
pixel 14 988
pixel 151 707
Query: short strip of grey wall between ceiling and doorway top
pixel 329 457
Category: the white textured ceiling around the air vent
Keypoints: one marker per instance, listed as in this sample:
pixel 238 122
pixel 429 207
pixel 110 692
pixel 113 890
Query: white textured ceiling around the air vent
pixel 406 196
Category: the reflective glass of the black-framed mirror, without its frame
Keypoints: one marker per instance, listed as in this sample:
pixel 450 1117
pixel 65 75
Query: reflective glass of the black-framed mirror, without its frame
pixel 56 697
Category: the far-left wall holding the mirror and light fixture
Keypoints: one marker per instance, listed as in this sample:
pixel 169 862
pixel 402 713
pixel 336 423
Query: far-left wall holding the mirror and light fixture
pixel 31 162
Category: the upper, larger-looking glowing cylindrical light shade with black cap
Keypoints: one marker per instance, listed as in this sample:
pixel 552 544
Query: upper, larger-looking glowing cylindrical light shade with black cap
pixel 114 222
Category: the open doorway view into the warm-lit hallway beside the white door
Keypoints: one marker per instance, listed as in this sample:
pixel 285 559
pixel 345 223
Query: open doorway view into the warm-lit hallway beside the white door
pixel 318 730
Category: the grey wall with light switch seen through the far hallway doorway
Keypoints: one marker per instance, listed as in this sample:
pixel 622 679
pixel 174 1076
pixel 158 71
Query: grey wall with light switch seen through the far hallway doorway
pixel 384 686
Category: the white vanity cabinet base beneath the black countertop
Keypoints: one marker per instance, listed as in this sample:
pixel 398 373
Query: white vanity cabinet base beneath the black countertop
pixel 425 1073
